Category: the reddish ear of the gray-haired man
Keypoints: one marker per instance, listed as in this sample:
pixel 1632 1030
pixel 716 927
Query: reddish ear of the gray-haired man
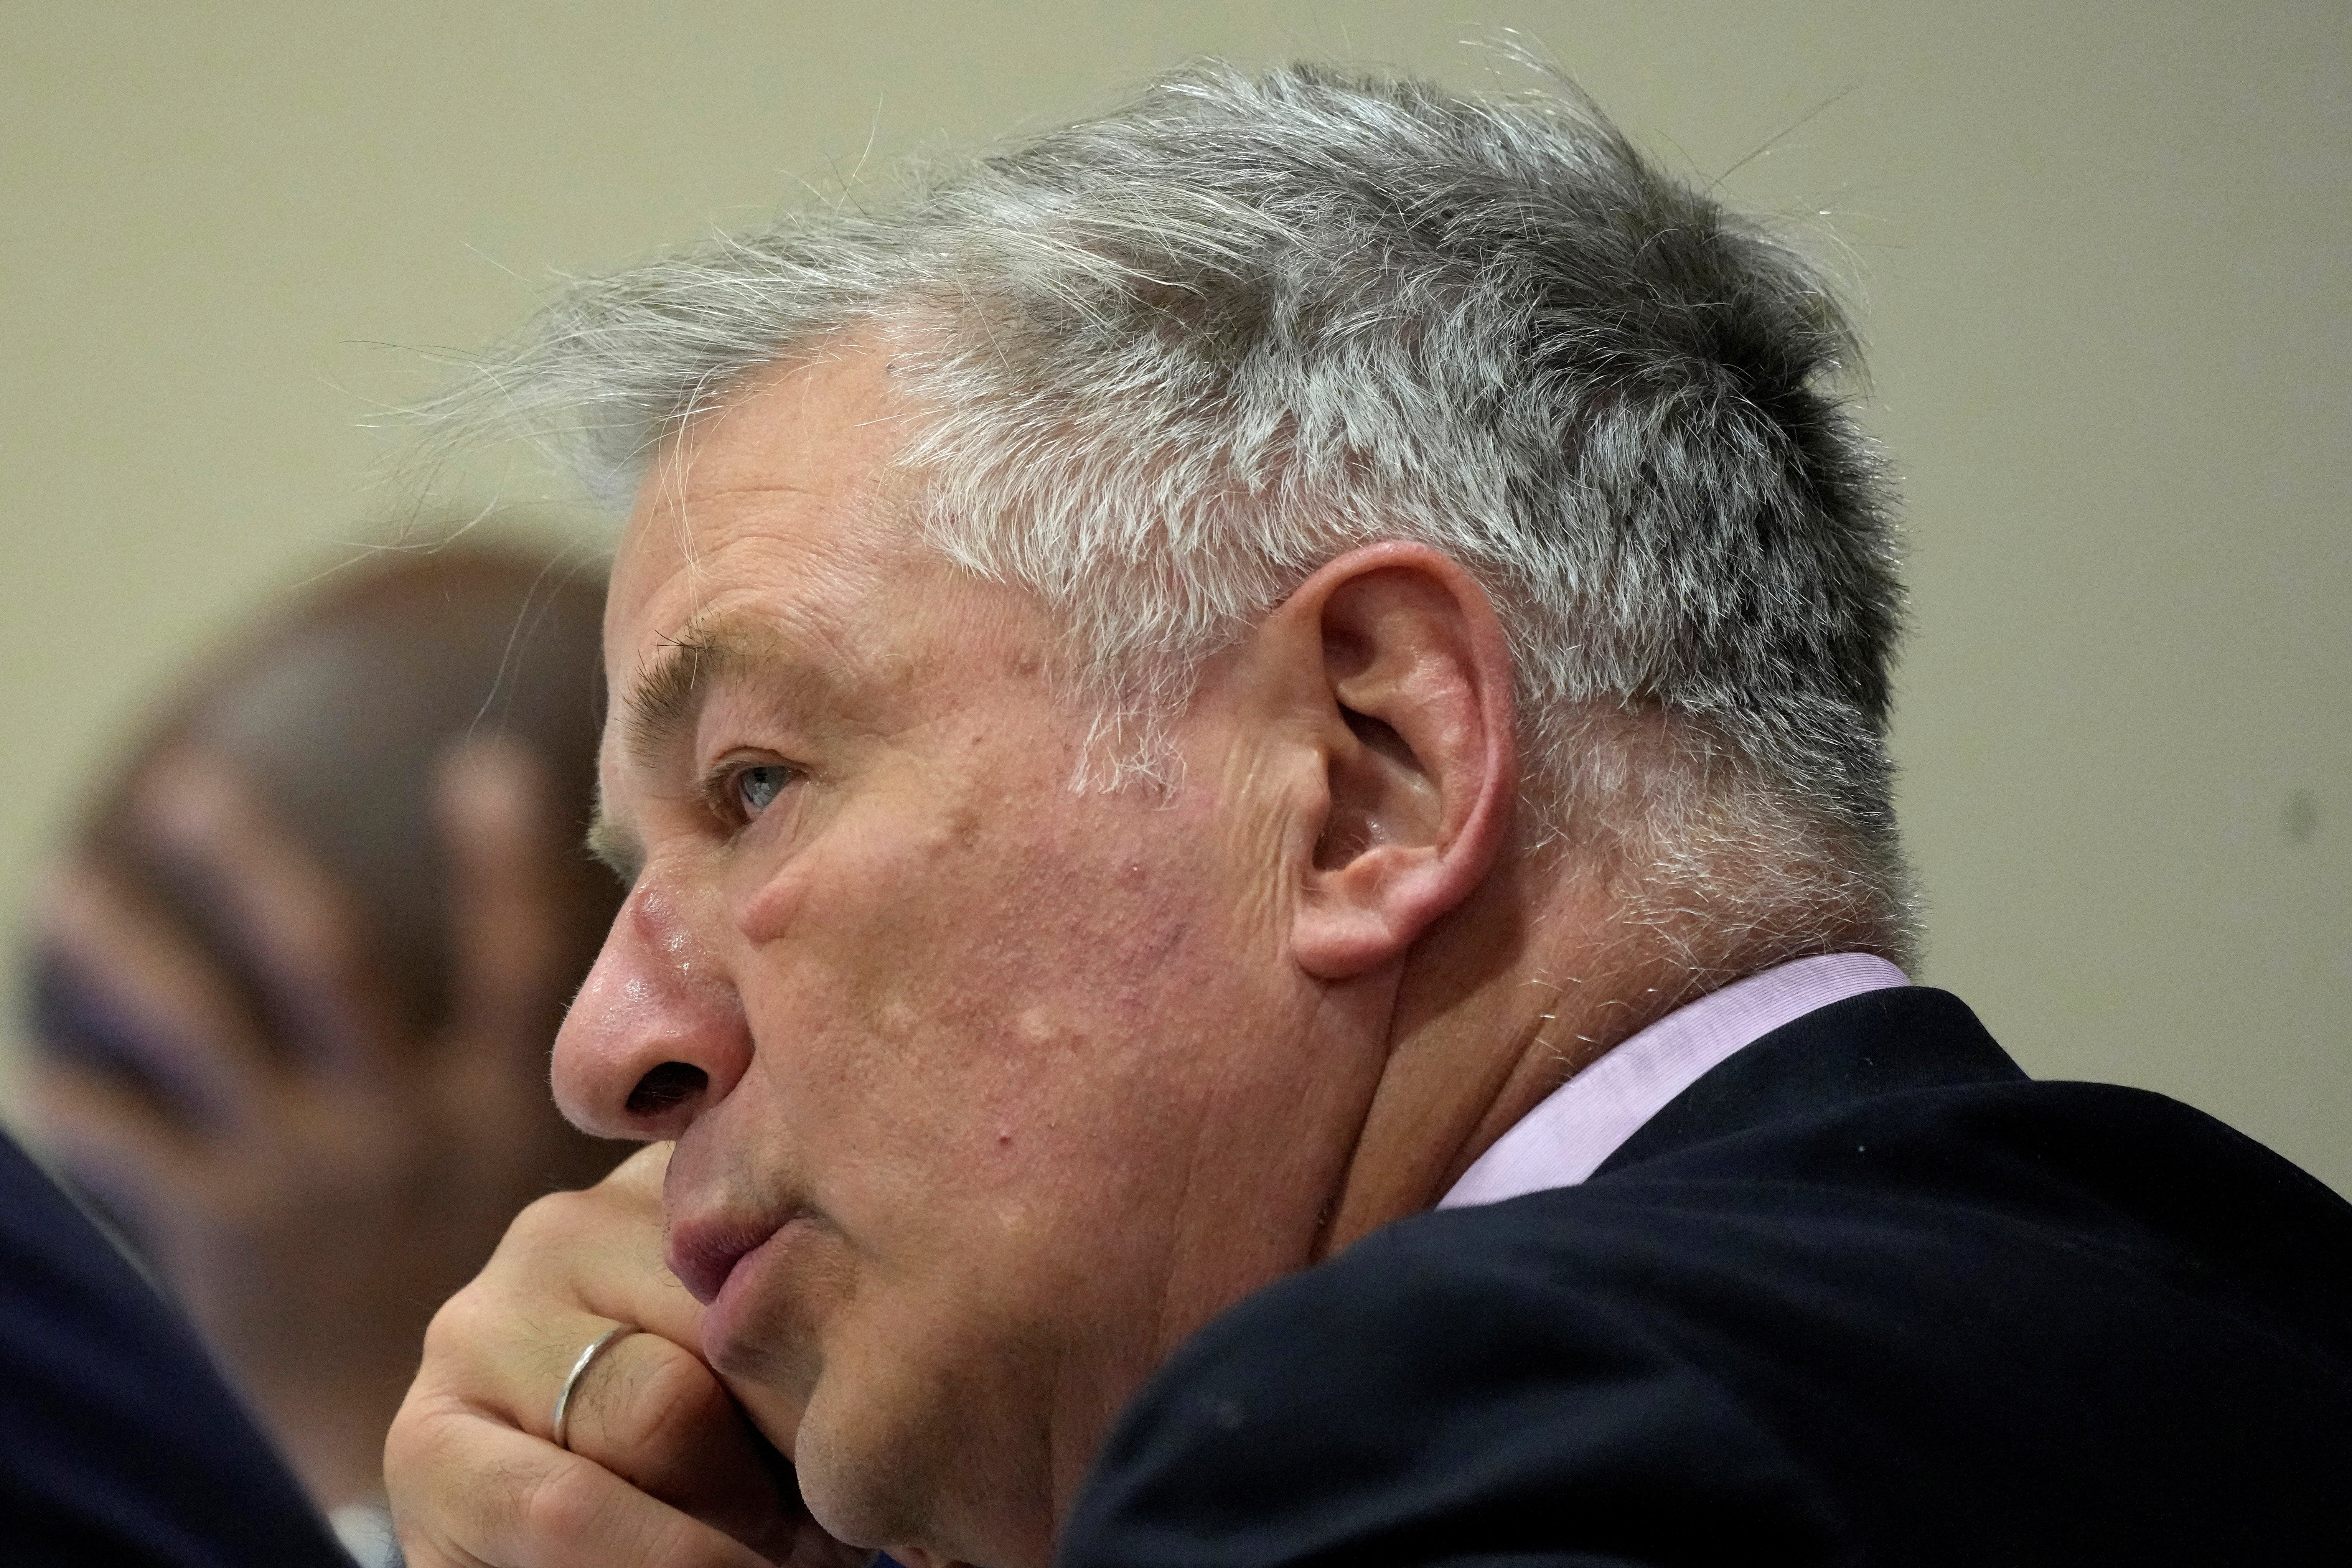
pixel 1401 683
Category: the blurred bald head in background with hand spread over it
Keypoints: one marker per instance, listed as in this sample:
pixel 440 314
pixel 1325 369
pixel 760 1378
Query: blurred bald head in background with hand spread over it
pixel 314 1115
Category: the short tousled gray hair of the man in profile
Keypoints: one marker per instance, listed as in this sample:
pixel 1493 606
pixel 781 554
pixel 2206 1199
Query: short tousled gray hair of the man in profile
pixel 1165 363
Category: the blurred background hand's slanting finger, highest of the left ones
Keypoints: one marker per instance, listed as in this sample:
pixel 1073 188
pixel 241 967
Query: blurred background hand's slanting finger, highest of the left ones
pixel 300 925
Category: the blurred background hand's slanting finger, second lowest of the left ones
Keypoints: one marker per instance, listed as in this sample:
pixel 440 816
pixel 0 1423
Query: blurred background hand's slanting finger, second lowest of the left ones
pixel 163 1005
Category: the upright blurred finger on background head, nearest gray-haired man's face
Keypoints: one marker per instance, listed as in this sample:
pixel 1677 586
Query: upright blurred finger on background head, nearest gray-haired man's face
pixel 509 916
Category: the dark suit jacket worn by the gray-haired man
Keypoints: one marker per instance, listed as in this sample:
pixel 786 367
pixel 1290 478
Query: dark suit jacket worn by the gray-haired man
pixel 1864 1294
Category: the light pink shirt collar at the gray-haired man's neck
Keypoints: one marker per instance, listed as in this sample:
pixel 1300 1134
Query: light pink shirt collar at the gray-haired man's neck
pixel 1589 1118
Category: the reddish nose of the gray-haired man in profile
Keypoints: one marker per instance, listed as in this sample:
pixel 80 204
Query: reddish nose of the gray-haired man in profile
pixel 657 1033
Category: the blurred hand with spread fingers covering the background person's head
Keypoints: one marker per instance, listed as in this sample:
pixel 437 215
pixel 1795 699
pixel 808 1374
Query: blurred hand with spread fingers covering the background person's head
pixel 316 1184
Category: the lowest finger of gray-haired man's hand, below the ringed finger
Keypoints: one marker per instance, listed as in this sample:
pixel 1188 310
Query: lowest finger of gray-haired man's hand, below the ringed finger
pixel 472 1492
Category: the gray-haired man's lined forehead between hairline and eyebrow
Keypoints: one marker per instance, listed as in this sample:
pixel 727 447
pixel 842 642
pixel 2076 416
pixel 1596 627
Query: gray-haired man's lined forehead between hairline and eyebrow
pixel 773 535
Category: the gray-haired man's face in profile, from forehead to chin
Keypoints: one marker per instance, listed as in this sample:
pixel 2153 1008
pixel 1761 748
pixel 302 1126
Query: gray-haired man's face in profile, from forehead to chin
pixel 1005 1087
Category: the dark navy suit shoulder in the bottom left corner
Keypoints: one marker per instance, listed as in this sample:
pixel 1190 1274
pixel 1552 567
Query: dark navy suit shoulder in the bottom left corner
pixel 119 1442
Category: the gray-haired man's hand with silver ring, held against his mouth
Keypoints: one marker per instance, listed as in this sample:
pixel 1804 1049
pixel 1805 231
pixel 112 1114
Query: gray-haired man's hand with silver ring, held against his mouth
pixel 662 1466
